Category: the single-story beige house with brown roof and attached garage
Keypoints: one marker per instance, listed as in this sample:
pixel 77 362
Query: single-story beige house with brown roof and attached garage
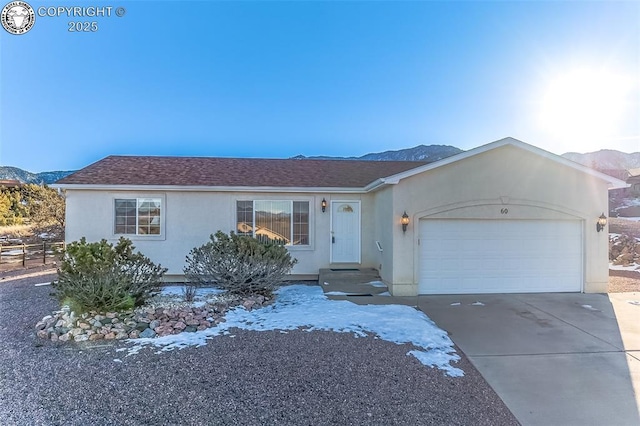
pixel 503 217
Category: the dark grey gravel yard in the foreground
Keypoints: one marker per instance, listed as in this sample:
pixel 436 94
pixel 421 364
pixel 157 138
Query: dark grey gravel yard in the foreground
pixel 248 378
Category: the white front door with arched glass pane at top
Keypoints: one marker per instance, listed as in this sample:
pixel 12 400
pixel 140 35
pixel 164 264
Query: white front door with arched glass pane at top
pixel 345 232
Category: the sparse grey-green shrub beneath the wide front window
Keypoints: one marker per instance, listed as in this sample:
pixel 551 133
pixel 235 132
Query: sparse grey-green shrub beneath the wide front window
pixel 239 264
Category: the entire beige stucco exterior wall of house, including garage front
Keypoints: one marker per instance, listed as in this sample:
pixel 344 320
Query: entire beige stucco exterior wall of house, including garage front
pixel 478 187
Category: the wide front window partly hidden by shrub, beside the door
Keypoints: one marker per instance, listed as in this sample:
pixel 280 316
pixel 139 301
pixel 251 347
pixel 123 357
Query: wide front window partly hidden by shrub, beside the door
pixel 283 222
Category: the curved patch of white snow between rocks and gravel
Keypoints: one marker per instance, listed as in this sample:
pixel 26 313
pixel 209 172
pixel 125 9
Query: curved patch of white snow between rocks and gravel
pixel 306 307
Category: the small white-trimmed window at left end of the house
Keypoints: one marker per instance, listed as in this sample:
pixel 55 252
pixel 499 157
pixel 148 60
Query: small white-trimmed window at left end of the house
pixel 137 216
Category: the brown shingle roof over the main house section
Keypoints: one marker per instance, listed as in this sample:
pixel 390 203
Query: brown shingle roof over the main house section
pixel 246 172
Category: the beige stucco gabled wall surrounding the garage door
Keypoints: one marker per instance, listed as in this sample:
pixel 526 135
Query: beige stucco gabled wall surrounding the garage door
pixel 530 186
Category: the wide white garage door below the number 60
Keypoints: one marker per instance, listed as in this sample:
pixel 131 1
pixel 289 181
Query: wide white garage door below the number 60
pixel 500 256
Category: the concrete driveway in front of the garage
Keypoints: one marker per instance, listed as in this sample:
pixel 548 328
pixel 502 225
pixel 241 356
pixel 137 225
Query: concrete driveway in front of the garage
pixel 554 359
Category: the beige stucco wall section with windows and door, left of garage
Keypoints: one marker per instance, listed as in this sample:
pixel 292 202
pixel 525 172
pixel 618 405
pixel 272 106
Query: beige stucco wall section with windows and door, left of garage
pixel 190 217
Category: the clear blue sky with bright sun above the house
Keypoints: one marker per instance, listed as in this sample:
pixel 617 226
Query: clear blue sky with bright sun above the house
pixel 277 79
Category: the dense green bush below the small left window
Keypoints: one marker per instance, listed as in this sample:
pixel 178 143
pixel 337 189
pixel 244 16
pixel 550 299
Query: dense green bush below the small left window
pixel 102 277
